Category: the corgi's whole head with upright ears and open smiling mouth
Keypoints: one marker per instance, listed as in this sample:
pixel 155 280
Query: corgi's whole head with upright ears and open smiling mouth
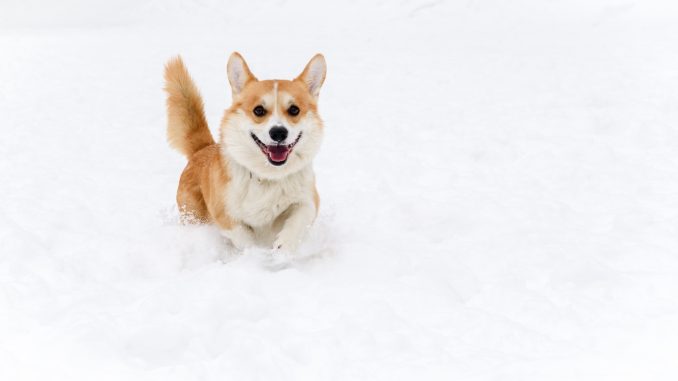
pixel 273 127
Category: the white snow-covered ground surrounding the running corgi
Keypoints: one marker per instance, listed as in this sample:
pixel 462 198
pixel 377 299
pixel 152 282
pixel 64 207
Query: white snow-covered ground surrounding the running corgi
pixel 499 187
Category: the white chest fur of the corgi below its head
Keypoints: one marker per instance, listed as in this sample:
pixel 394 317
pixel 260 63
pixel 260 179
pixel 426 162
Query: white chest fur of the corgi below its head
pixel 258 202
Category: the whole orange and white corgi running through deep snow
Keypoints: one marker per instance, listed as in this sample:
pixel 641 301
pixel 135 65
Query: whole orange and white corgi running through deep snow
pixel 257 183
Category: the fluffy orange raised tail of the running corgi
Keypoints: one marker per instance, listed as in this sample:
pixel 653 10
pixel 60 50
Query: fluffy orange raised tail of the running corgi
pixel 187 129
